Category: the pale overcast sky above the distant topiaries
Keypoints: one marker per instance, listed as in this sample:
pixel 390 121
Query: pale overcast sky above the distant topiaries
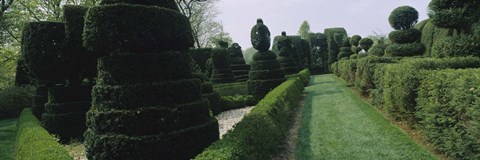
pixel 362 17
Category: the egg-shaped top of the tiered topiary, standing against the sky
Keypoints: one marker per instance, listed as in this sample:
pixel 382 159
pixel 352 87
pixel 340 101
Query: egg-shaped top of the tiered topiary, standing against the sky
pixel 260 36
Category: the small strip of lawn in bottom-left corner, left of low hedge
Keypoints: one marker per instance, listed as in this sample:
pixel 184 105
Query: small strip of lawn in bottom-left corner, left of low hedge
pixel 7 139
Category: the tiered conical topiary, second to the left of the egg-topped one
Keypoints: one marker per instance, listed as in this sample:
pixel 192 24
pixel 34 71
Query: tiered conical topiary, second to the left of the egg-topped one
pixel 221 66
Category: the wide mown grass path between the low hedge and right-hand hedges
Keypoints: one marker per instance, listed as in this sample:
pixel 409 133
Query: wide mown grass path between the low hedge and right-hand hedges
pixel 337 124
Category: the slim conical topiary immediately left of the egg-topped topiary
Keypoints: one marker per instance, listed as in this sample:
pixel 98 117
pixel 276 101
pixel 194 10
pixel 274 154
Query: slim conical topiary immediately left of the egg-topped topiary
pixel 239 67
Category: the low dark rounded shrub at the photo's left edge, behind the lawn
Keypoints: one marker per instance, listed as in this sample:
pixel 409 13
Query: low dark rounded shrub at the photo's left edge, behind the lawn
pixel 13 99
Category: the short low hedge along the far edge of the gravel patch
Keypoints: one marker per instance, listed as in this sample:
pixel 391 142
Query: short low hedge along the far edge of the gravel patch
pixel 236 101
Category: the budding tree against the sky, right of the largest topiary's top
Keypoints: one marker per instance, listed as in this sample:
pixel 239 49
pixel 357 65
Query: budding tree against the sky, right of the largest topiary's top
pixel 202 16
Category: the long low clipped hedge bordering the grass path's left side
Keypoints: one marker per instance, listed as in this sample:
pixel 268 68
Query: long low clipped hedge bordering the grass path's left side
pixel 260 133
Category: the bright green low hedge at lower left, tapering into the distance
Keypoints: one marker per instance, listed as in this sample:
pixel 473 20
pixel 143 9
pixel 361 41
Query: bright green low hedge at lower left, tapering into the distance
pixel 34 142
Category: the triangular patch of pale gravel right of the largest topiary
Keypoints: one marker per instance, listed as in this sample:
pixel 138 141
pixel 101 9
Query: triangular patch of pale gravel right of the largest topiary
pixel 228 119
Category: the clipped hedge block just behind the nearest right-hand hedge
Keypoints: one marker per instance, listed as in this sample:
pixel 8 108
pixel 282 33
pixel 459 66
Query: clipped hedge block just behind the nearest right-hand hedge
pixel 402 80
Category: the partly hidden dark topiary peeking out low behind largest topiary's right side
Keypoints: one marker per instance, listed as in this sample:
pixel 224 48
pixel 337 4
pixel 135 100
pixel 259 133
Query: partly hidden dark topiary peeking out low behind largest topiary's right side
pixel 209 94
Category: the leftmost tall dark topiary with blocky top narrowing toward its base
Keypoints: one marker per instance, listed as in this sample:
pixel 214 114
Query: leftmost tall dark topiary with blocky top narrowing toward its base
pixel 42 43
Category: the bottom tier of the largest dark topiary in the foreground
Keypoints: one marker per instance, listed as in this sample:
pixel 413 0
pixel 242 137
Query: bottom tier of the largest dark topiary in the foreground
pixel 189 141
